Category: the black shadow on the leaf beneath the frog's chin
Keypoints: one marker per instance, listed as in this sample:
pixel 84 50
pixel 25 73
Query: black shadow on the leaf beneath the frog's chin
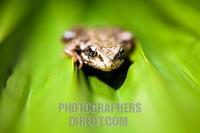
pixel 114 79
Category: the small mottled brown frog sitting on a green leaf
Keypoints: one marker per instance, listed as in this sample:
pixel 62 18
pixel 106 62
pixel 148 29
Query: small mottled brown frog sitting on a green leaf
pixel 104 48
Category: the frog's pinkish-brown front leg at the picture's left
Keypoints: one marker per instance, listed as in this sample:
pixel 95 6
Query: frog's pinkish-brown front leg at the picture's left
pixel 71 51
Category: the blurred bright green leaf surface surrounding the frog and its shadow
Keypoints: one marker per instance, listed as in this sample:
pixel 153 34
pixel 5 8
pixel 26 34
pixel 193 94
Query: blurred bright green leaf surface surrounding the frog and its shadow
pixel 35 76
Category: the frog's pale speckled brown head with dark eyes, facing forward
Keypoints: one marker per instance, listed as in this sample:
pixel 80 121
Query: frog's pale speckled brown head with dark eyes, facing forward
pixel 103 57
